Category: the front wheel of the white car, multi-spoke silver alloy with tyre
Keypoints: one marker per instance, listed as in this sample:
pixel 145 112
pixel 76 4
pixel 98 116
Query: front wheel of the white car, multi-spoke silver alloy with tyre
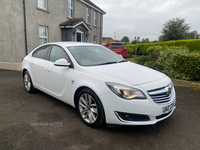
pixel 90 108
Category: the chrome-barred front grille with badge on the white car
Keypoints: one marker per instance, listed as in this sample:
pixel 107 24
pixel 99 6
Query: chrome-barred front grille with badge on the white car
pixel 162 95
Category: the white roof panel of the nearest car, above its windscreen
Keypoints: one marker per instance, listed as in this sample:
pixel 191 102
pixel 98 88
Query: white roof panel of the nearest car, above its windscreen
pixel 68 44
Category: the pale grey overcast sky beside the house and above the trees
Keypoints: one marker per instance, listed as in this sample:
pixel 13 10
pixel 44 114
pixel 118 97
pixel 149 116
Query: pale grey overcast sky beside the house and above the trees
pixel 145 18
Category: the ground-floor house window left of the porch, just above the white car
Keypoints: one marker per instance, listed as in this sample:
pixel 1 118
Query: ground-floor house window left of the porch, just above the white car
pixel 43 34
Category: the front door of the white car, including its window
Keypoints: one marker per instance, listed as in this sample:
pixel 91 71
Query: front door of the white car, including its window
pixel 57 78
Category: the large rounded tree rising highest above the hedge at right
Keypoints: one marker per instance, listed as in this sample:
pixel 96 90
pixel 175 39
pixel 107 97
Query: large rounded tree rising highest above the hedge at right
pixel 175 29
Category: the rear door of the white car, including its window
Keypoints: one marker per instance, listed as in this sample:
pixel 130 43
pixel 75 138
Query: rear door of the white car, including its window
pixel 37 66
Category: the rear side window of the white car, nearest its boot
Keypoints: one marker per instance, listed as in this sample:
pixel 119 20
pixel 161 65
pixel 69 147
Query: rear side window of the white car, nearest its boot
pixel 41 53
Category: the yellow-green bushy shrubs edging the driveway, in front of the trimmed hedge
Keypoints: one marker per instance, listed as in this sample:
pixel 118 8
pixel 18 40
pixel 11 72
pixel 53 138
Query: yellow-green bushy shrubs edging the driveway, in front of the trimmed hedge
pixel 176 61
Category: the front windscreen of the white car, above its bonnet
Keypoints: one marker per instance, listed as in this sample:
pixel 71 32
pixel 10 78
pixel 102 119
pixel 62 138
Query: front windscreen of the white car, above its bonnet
pixel 94 55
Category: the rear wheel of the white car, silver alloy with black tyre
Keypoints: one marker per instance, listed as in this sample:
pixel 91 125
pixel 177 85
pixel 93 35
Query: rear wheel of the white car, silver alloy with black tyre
pixel 28 85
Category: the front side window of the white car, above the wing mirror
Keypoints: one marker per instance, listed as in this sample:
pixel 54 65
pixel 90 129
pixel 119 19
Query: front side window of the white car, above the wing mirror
pixel 58 53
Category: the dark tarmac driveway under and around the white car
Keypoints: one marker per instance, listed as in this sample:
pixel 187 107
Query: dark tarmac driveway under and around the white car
pixel 38 121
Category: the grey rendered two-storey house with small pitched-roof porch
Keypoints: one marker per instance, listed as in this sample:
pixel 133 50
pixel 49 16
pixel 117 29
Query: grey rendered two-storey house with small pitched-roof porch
pixel 26 24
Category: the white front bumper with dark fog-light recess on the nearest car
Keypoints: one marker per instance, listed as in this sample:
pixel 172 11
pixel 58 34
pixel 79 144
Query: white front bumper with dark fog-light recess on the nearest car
pixel 142 112
